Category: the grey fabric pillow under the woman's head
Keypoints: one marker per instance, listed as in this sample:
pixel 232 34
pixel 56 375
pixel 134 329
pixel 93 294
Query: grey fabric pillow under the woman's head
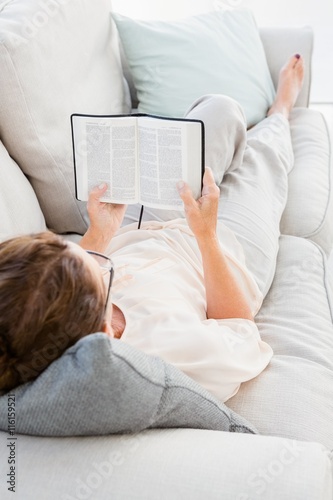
pixel 103 386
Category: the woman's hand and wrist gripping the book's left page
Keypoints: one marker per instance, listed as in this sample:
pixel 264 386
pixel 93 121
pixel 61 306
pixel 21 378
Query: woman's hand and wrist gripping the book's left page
pixel 105 220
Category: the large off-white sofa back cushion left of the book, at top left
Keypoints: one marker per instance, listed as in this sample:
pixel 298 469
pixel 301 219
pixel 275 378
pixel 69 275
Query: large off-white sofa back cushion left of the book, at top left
pixel 56 58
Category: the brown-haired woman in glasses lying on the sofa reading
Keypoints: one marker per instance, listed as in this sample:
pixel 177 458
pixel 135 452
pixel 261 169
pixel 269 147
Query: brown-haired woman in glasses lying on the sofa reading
pixel 183 289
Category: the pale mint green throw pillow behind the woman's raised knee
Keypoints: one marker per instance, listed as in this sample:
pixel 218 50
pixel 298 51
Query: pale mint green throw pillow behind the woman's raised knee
pixel 174 63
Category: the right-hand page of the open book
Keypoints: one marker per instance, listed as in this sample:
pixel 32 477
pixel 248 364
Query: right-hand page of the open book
pixel 164 157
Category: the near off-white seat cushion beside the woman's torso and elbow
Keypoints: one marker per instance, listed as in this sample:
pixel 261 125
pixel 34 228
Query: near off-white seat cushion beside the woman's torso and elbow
pixel 293 397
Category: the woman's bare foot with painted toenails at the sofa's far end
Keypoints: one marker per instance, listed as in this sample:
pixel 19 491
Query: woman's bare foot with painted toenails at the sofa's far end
pixel 289 86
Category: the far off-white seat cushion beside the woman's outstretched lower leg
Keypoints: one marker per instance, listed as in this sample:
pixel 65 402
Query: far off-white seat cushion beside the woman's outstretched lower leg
pixel 310 200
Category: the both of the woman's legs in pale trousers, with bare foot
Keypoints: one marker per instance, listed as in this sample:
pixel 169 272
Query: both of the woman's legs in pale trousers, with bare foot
pixel 252 169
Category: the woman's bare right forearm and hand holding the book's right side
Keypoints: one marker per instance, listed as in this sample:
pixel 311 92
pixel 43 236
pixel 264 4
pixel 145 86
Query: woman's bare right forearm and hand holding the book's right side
pixel 225 299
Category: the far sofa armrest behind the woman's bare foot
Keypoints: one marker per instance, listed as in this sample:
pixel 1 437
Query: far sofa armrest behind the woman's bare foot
pixel 281 43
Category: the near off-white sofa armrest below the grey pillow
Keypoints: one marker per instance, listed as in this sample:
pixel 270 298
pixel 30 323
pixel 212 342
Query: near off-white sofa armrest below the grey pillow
pixel 170 463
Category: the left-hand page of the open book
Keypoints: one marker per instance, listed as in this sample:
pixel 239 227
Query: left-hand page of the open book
pixel 105 151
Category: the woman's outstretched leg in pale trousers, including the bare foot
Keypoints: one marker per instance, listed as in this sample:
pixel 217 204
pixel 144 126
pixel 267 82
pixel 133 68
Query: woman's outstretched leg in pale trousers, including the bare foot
pixel 254 194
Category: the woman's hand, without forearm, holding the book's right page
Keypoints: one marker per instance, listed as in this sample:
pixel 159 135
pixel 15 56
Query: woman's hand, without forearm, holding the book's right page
pixel 201 214
